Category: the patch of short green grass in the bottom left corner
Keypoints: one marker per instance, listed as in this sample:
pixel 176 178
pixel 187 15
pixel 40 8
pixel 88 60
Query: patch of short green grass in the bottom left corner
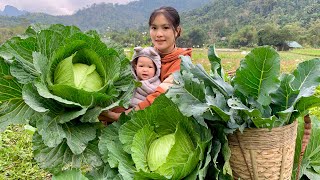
pixel 16 158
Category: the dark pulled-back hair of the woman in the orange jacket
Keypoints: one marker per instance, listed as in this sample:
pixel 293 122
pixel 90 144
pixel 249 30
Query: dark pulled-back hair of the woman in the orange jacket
pixel 171 14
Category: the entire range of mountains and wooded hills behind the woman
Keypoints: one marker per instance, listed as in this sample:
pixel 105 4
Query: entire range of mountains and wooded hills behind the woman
pixel 236 22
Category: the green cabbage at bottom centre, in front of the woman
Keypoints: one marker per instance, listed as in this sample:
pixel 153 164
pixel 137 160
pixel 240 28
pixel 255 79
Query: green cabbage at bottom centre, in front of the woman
pixel 157 143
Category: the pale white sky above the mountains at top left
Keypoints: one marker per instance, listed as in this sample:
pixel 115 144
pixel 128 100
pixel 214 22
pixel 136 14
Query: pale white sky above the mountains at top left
pixel 55 7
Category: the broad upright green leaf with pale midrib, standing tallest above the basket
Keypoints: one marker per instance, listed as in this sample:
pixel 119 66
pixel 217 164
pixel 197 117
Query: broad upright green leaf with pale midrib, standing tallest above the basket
pixel 258 74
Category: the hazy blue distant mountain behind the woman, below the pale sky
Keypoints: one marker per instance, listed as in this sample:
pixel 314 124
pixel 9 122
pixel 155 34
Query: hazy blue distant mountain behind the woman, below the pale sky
pixel 105 17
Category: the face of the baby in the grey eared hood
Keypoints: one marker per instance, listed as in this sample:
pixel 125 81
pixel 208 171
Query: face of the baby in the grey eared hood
pixel 145 68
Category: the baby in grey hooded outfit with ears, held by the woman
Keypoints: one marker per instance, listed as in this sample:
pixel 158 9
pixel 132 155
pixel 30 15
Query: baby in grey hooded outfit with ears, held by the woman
pixel 146 64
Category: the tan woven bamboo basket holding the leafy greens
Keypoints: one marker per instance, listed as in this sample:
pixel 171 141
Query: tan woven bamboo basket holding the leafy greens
pixel 263 154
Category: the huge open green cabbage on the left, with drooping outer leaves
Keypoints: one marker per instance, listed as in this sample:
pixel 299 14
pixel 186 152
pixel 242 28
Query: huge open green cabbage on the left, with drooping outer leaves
pixel 58 79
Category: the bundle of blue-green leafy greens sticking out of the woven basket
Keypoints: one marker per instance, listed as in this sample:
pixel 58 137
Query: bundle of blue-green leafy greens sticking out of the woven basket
pixel 258 96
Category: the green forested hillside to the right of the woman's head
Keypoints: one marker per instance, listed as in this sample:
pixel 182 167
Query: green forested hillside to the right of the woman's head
pixel 248 22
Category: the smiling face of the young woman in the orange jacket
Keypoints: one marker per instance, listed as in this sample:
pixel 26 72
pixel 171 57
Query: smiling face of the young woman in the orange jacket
pixel 162 34
